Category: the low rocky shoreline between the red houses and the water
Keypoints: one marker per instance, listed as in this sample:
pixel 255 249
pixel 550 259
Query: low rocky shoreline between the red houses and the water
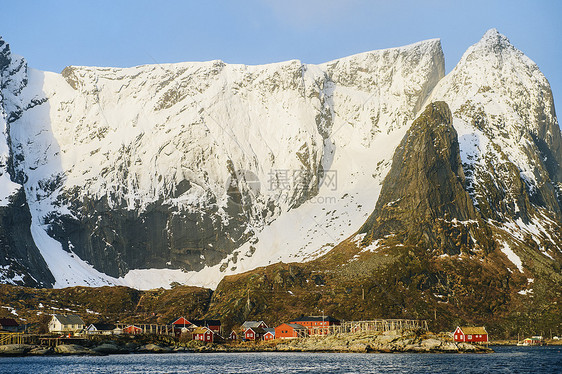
pixel 389 342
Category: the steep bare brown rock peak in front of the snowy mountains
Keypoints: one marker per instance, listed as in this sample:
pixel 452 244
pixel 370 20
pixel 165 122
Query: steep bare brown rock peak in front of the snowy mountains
pixel 423 200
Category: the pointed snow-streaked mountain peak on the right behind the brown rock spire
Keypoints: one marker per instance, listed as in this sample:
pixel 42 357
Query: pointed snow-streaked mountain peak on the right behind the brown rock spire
pixel 510 142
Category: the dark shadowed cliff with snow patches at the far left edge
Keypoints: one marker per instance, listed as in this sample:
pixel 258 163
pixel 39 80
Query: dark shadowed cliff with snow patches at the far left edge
pixel 20 261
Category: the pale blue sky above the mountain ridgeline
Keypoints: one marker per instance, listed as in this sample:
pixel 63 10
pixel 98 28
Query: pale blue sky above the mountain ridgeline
pixel 54 34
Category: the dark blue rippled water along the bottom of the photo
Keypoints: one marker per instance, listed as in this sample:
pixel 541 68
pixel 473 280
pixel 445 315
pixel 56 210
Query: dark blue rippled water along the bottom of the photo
pixel 505 360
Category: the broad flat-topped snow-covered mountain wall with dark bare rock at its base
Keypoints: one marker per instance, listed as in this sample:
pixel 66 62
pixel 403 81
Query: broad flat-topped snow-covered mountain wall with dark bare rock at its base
pixel 207 169
